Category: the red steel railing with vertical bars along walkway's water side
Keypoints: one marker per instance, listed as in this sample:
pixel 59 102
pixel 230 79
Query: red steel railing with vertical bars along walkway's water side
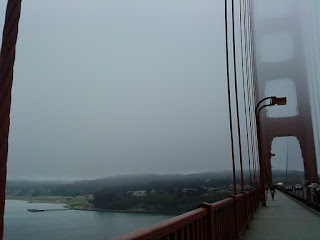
pixel 226 219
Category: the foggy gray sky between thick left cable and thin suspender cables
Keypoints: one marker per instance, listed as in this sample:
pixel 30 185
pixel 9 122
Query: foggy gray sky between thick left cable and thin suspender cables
pixel 114 87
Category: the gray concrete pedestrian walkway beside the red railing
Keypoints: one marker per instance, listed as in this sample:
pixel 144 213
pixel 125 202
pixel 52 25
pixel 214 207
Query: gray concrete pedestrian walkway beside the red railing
pixel 285 219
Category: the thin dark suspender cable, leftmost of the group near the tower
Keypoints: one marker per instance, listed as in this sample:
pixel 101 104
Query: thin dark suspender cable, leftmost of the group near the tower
pixel 229 98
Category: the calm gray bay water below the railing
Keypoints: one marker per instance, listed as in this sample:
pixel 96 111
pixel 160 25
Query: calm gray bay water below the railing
pixel 70 224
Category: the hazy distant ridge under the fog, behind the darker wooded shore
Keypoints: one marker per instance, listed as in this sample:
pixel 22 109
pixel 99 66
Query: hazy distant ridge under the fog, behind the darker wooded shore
pixel 61 188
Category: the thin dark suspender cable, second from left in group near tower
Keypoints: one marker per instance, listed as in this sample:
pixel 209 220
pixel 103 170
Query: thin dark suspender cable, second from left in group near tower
pixel 236 94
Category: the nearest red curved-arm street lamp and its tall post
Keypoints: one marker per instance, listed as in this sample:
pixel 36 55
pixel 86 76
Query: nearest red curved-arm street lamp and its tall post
pixel 273 101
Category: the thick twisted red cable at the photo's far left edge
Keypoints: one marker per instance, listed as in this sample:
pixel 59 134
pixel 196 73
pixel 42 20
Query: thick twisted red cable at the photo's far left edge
pixel 7 57
